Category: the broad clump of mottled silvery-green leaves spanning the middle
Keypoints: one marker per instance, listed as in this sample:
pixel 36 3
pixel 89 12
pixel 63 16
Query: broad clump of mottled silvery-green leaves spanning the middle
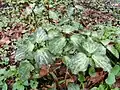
pixel 77 48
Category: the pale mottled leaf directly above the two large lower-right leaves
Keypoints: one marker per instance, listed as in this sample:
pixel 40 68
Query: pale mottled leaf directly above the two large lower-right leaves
pixel 90 46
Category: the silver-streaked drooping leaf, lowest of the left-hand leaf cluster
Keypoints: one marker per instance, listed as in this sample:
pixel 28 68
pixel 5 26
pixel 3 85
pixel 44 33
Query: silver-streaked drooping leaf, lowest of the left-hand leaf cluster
pixel 42 56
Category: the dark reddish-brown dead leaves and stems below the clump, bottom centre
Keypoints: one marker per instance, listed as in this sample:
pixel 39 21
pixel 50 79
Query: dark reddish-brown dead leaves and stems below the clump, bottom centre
pixel 60 76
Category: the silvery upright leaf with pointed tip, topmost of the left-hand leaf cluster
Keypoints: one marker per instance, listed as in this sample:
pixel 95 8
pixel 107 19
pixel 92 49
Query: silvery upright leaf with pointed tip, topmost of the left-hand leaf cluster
pixel 40 35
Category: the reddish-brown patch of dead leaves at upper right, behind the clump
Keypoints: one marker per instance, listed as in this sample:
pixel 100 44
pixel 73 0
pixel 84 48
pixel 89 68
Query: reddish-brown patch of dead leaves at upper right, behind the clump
pixel 92 17
